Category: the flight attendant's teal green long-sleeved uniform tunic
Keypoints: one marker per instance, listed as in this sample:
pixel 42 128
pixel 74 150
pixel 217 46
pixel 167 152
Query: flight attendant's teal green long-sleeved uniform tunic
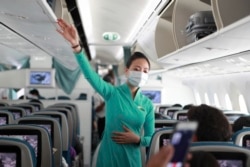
pixel 121 109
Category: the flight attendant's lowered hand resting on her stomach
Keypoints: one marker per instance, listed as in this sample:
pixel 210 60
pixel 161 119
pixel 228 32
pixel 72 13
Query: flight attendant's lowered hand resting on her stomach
pixel 126 137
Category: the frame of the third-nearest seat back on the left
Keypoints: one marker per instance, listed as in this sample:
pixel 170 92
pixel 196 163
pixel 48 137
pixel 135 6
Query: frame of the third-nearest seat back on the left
pixel 54 130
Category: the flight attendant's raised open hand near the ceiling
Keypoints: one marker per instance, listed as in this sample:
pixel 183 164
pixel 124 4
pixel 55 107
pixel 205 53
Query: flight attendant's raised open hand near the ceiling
pixel 69 32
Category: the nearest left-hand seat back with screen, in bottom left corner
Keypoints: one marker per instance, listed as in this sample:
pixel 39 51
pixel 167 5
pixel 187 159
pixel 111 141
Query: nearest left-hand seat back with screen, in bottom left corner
pixel 18 151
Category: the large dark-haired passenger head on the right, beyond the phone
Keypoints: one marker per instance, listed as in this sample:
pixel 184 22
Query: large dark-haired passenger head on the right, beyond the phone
pixel 213 125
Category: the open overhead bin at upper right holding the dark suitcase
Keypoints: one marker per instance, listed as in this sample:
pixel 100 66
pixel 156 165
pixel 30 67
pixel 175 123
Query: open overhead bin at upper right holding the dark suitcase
pixel 170 44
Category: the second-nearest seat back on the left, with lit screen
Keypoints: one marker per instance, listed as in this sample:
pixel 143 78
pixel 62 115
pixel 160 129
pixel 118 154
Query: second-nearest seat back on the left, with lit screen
pixel 37 137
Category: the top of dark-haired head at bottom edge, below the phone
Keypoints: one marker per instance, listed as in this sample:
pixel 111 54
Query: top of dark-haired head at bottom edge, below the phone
pixel 204 159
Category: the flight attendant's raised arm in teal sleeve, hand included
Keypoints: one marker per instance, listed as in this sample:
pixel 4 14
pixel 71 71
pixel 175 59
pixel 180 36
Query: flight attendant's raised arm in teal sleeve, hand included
pixel 69 32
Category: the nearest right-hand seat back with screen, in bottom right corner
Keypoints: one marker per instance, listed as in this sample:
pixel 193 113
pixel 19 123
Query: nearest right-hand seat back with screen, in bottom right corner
pixel 225 152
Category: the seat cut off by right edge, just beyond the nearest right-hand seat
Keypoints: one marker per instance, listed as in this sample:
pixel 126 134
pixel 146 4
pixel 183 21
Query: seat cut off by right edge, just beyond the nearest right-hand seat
pixel 242 137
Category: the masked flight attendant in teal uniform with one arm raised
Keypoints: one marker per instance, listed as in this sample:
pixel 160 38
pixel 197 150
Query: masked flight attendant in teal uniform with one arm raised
pixel 128 111
